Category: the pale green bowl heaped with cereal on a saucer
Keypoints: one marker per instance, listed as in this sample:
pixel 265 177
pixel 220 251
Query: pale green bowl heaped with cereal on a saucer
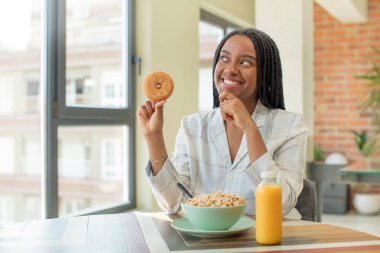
pixel 214 211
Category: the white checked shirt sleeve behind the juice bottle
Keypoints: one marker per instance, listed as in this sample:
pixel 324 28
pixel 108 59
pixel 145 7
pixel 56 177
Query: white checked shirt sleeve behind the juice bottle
pixel 287 158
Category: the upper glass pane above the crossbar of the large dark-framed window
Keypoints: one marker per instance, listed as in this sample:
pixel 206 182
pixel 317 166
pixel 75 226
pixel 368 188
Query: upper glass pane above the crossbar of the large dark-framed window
pixel 94 43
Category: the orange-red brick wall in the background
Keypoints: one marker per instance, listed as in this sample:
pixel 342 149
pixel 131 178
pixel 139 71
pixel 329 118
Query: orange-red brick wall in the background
pixel 342 51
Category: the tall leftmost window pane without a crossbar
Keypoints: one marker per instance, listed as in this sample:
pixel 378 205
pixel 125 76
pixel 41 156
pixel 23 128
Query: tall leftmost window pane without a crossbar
pixel 20 61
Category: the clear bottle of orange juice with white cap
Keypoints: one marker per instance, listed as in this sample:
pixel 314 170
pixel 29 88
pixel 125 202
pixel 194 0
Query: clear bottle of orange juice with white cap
pixel 268 209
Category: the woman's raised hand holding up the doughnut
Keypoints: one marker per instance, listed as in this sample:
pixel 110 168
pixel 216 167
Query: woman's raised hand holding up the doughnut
pixel 150 118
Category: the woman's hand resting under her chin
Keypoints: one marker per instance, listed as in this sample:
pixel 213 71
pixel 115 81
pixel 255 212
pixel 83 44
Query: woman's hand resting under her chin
pixel 233 109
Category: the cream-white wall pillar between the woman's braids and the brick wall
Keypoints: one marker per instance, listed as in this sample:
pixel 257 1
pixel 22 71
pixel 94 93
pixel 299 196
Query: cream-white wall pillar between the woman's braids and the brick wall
pixel 290 24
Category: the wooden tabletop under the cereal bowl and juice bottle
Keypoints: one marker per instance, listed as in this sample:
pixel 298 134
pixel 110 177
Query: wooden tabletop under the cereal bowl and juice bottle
pixel 151 232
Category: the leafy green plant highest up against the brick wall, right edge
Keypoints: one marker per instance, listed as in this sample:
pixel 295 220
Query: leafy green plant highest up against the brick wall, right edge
pixel 372 101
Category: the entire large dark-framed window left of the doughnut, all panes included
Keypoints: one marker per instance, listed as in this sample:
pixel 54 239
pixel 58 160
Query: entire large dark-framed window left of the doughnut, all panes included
pixel 85 87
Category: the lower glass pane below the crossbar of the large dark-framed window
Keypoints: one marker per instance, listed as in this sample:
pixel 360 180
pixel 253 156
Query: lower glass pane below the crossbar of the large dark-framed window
pixel 92 167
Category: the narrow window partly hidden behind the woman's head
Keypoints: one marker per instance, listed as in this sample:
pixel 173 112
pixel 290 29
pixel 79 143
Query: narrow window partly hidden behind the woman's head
pixel 212 29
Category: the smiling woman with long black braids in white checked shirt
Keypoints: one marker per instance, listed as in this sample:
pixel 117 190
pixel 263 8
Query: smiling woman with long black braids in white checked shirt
pixel 247 132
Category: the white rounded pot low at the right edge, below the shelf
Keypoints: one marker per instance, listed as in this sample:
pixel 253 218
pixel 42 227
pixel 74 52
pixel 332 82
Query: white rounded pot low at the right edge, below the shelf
pixel 367 203
